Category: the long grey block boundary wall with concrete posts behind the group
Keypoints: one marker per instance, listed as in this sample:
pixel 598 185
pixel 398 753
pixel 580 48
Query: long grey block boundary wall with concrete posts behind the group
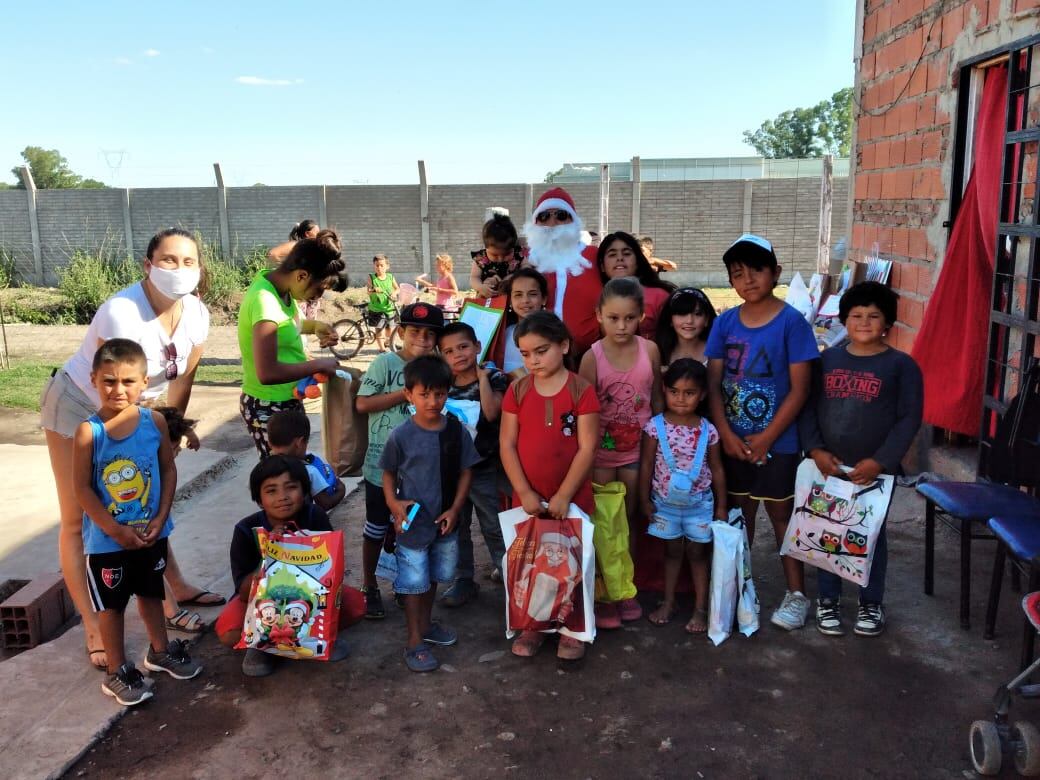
pixel 693 223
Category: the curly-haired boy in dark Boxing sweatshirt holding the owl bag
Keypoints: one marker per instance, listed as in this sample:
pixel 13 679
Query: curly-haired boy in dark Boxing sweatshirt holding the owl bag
pixel 865 412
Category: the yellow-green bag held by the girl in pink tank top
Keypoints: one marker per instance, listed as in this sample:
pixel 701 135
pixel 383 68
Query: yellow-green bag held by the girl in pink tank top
pixel 614 562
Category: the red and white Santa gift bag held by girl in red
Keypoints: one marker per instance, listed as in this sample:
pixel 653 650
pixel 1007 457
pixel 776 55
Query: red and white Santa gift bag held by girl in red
pixel 550 574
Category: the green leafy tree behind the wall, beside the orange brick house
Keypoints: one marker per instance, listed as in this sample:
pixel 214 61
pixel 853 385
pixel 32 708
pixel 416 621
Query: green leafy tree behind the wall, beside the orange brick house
pixel 825 128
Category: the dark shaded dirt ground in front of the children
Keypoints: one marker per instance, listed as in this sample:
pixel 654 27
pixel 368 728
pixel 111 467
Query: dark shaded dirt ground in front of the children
pixel 646 703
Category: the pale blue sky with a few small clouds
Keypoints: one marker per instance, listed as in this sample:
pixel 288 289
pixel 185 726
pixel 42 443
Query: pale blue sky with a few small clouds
pixel 143 94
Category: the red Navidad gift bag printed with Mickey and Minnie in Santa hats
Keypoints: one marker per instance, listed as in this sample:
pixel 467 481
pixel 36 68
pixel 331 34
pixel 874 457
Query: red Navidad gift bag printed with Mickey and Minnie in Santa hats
pixel 294 607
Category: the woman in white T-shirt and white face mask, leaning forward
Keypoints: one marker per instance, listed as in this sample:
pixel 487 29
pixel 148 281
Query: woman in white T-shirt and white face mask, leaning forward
pixel 171 325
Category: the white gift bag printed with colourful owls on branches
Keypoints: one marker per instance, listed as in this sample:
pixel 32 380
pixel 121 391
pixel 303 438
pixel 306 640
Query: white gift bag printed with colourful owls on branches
pixel 836 524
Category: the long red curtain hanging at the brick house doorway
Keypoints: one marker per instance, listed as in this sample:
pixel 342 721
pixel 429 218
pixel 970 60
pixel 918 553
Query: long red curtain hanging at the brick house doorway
pixel 952 345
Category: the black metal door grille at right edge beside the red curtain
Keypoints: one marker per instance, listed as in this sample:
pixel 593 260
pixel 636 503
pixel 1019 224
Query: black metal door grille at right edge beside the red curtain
pixel 1015 322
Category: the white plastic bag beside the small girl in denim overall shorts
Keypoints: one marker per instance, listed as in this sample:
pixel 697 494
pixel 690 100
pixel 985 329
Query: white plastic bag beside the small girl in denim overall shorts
pixel 733 591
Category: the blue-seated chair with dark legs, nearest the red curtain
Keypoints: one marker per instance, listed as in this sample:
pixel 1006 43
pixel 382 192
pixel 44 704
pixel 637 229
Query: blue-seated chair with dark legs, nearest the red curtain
pixel 964 505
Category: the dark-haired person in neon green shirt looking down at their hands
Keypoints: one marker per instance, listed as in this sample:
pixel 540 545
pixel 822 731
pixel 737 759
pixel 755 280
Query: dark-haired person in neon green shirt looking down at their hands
pixel 272 327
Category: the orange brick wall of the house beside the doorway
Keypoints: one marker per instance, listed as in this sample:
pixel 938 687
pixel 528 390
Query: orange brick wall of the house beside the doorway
pixel 905 139
